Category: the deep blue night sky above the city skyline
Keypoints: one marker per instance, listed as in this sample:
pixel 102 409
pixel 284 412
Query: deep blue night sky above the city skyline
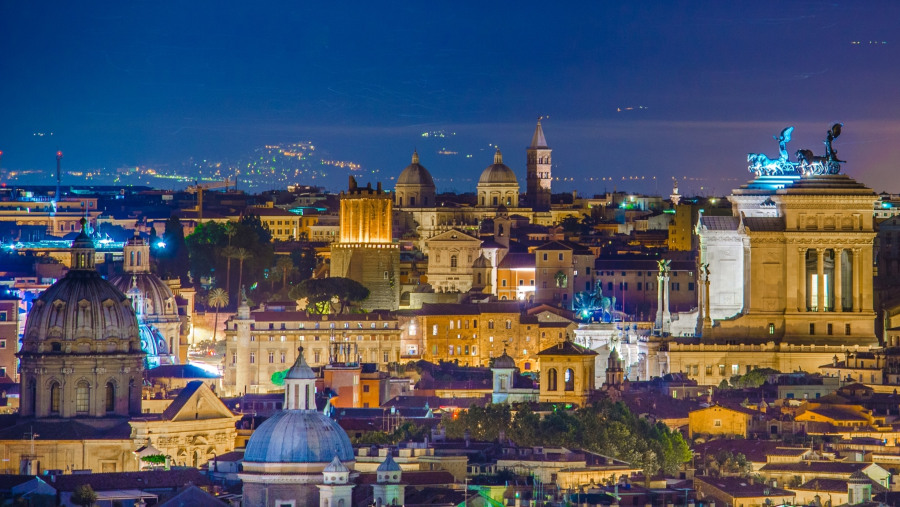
pixel 126 83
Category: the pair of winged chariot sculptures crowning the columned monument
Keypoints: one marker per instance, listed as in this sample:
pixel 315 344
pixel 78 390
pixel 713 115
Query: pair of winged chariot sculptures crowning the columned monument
pixel 807 163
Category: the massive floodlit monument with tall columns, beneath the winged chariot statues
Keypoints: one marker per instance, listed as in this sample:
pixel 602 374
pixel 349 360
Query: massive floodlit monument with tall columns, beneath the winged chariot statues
pixel 790 279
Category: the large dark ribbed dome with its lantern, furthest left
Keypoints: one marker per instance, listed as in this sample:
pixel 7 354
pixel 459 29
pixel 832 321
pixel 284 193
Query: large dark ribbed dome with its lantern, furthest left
pixel 82 305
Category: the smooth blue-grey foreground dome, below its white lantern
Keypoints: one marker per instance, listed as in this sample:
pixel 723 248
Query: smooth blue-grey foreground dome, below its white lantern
pixel 298 436
